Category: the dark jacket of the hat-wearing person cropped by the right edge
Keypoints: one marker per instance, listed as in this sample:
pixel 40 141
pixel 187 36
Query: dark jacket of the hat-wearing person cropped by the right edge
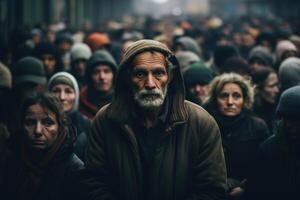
pixel 278 169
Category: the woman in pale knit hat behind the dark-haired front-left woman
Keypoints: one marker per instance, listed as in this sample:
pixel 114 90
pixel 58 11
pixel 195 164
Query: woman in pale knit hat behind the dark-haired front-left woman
pixel 64 86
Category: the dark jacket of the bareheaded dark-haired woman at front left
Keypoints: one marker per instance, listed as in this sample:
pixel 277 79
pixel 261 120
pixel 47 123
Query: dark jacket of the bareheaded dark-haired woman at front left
pixel 58 179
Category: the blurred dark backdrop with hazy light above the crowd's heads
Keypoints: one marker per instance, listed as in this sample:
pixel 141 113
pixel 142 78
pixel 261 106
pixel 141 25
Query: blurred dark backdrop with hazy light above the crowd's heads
pixel 77 14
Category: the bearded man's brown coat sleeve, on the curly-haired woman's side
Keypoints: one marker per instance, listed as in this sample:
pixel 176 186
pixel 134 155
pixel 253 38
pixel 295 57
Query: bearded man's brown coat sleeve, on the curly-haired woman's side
pixel 209 177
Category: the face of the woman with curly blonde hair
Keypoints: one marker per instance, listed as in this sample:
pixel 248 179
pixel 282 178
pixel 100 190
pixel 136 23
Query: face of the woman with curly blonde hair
pixel 230 100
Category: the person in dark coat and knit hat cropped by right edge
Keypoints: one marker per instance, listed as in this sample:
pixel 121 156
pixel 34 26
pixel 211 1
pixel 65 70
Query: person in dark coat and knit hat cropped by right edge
pixel 278 164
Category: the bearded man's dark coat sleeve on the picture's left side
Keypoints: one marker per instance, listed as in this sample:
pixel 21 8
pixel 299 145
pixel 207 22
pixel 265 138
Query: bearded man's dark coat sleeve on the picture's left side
pixel 95 178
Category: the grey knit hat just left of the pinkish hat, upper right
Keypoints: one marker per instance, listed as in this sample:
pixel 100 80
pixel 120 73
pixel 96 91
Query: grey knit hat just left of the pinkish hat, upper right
pixel 261 53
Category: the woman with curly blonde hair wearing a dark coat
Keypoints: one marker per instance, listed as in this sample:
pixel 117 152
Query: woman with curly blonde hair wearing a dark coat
pixel 229 102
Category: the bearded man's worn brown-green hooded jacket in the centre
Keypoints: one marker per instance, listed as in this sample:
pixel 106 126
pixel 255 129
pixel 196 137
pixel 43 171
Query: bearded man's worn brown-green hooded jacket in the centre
pixel 188 160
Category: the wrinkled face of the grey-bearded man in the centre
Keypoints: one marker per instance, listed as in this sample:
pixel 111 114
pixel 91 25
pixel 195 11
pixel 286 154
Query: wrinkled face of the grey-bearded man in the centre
pixel 149 79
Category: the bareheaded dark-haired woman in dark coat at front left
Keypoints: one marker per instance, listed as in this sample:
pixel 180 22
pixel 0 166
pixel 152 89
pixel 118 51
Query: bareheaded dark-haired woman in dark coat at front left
pixel 43 165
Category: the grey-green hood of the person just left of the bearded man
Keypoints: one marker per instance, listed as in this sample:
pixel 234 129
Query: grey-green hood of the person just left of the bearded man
pixel 100 57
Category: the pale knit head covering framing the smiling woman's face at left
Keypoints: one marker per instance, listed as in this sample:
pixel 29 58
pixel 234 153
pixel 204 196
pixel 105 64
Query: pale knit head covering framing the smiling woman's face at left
pixel 71 78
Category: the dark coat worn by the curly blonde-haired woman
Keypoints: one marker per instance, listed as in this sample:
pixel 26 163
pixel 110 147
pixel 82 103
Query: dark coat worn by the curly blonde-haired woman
pixel 241 137
